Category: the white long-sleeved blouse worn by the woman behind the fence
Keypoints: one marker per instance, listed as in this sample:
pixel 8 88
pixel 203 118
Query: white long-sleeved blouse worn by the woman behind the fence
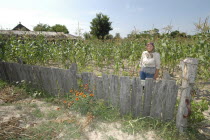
pixel 150 60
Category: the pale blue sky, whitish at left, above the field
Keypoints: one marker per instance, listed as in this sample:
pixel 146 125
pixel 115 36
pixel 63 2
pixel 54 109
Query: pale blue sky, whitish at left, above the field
pixel 125 15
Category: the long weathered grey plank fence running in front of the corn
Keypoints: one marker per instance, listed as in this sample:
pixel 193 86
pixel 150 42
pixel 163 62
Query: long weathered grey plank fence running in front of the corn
pixel 157 99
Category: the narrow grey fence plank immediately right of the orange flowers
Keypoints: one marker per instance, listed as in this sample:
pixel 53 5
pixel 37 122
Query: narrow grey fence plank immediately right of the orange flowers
pixel 99 88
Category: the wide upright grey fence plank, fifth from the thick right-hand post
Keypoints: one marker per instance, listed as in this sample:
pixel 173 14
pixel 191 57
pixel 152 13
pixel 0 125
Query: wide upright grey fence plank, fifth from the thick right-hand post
pixel 125 95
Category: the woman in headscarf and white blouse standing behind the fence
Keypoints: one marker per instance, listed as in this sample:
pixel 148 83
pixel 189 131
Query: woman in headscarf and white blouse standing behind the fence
pixel 149 63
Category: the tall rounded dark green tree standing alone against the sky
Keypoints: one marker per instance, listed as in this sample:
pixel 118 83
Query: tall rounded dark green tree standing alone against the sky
pixel 100 26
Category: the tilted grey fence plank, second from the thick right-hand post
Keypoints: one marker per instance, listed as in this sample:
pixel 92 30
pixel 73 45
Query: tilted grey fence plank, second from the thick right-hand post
pixel 159 100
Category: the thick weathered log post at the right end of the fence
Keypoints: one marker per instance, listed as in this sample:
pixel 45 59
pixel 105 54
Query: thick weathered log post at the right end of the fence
pixel 189 69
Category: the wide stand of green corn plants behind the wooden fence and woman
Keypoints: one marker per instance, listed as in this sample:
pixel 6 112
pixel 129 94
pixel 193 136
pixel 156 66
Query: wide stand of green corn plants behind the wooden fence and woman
pixel 115 54
